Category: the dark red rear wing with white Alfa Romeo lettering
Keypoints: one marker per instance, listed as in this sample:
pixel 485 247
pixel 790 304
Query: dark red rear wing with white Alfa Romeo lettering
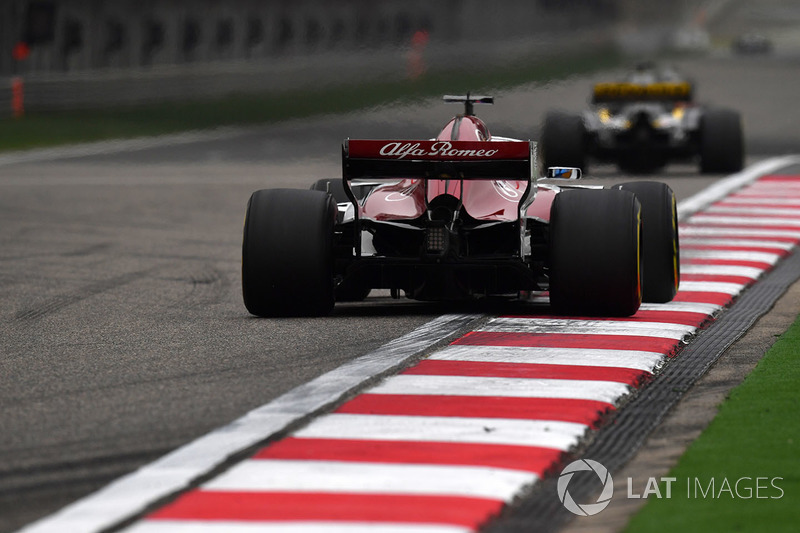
pixel 462 160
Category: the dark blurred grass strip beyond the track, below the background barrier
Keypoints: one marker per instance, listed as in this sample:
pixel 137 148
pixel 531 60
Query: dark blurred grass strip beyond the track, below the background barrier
pixel 39 129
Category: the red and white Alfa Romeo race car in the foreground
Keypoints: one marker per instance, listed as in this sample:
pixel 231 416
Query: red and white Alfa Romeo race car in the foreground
pixel 460 216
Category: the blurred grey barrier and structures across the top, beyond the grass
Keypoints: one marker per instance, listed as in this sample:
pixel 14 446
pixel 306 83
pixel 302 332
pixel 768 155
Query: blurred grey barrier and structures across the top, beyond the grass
pixel 94 53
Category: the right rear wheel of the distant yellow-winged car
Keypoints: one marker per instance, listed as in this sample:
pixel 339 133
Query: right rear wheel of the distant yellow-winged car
pixel 721 142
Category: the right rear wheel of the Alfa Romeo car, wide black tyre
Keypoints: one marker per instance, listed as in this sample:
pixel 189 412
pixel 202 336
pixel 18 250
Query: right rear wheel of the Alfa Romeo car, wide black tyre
pixel 595 238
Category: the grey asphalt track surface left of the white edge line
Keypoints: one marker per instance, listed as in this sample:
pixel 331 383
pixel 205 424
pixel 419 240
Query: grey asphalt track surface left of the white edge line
pixel 123 332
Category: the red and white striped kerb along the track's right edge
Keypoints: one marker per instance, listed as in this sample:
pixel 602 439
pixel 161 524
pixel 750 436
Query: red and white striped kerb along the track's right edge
pixel 446 443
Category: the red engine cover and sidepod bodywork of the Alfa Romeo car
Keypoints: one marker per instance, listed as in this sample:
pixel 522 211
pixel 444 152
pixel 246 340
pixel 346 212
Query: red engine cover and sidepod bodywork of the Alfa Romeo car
pixel 494 200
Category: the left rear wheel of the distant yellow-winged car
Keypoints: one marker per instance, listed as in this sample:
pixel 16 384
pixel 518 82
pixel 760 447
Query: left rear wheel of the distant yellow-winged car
pixel 563 140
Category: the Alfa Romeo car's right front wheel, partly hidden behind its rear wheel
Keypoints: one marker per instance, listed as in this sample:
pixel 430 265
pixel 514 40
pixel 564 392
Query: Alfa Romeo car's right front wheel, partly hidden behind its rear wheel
pixel 660 249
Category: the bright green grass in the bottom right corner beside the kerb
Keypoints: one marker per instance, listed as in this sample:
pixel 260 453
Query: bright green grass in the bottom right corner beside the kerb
pixel 755 434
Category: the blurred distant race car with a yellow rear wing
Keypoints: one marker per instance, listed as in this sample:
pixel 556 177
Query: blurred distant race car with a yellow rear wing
pixel 642 123
